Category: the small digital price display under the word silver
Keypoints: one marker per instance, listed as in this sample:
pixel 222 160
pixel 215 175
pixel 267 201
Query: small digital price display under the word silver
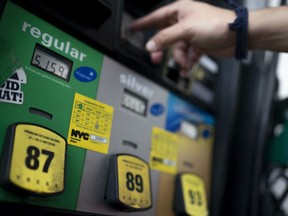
pixel 134 102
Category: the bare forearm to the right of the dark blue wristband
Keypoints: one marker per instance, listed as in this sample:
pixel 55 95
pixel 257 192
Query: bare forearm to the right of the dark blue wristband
pixel 268 29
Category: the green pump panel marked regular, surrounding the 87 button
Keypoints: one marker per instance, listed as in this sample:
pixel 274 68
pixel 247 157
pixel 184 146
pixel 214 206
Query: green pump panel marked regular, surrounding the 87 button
pixel 41 69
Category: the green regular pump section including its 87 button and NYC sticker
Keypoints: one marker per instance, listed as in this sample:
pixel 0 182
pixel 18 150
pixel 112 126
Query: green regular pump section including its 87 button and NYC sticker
pixel 49 93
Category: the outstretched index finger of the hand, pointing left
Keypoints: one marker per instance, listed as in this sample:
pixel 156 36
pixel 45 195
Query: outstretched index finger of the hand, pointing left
pixel 162 17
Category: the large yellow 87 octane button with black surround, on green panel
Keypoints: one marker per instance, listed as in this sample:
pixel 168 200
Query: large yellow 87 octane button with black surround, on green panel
pixel 33 160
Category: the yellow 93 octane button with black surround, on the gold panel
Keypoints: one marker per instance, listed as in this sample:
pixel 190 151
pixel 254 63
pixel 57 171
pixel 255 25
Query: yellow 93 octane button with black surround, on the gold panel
pixel 190 195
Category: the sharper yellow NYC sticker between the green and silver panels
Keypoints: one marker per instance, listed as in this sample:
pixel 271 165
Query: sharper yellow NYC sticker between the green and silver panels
pixel 90 124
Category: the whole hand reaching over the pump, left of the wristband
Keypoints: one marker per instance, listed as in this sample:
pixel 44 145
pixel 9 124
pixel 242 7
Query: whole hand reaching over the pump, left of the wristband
pixel 190 28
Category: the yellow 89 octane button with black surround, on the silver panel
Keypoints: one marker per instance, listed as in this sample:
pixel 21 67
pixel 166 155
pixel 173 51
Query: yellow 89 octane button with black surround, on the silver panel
pixel 128 185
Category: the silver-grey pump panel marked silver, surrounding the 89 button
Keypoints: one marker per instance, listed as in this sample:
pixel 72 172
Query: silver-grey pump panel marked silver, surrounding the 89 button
pixel 127 126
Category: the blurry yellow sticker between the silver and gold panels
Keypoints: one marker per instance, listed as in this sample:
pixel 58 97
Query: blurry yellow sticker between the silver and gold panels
pixel 164 151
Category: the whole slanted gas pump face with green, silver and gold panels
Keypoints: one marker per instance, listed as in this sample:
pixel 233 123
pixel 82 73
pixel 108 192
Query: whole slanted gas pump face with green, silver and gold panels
pixel 82 132
